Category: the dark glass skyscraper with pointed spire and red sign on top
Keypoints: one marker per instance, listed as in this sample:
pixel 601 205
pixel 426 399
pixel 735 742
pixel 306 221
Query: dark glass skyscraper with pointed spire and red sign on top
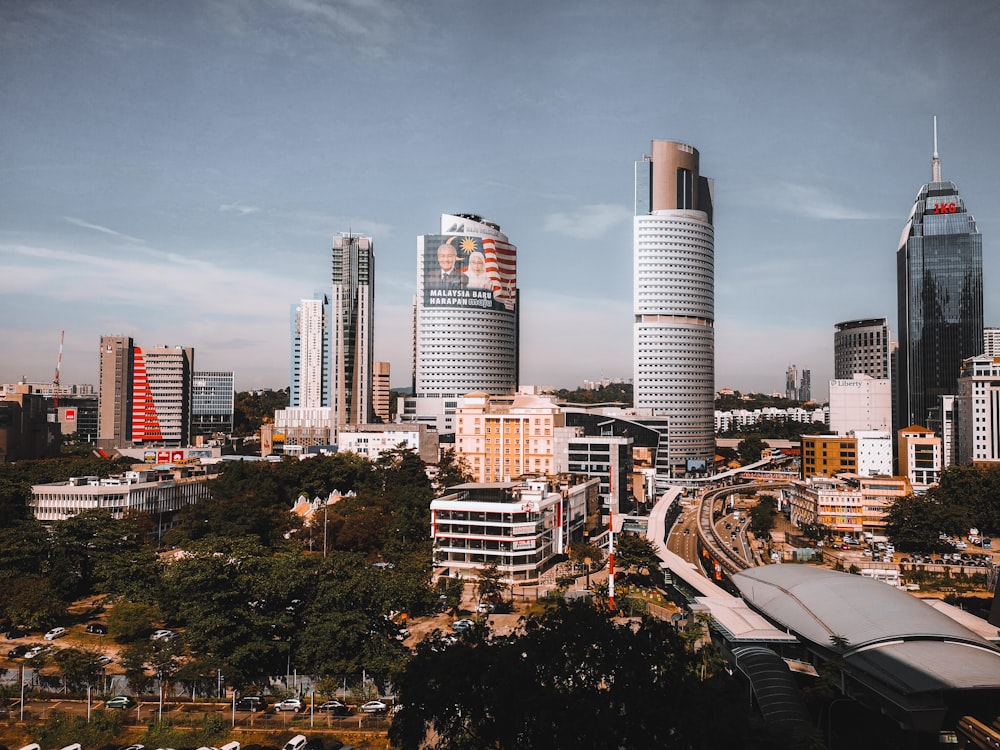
pixel 939 274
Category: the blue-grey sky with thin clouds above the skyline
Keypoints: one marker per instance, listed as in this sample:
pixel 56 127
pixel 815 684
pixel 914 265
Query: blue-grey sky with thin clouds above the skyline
pixel 175 172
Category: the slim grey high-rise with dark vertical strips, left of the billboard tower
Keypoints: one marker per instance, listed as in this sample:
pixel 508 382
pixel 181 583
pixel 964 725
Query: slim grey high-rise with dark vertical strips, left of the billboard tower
pixel 352 329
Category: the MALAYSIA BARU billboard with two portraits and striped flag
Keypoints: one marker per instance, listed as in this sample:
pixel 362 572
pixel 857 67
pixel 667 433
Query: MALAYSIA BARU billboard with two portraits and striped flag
pixel 469 271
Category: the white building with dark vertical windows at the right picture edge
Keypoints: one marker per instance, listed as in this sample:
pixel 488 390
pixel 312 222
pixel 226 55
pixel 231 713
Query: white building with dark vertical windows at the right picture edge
pixel 977 407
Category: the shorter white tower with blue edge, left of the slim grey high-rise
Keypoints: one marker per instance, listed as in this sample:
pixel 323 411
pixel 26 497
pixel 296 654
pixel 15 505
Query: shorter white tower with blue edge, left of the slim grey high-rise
pixel 309 381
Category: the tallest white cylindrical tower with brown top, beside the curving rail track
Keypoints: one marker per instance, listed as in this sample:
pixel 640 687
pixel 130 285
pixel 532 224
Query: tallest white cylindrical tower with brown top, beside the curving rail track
pixel 674 302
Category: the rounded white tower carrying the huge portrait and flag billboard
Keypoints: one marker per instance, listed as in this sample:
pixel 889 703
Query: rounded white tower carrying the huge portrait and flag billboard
pixel 465 327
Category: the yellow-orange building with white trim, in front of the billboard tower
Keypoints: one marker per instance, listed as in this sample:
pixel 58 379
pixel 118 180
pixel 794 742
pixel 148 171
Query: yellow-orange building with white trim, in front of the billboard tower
pixel 501 438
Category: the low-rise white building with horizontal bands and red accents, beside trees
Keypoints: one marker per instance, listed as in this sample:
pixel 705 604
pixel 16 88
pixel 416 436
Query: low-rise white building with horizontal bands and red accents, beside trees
pixel 519 526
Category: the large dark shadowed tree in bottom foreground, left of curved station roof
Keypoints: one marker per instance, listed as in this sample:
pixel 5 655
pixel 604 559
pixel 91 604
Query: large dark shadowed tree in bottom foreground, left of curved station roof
pixel 582 681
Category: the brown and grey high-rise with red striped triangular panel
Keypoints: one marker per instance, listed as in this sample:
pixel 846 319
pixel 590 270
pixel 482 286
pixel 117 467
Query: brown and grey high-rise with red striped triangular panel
pixel 144 394
